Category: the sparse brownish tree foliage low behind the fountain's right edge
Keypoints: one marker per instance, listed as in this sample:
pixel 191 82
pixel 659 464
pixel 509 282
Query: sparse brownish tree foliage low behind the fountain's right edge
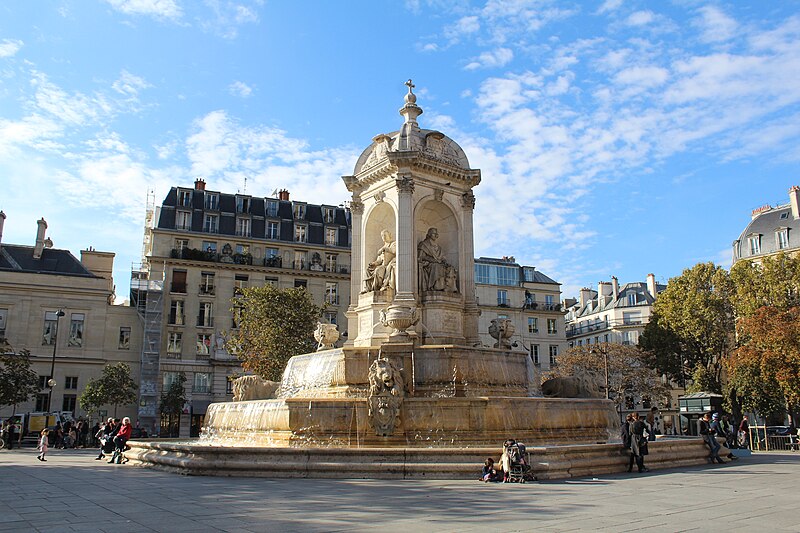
pixel 628 371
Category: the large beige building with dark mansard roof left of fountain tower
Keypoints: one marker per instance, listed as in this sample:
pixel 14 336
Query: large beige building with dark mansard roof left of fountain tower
pixel 202 247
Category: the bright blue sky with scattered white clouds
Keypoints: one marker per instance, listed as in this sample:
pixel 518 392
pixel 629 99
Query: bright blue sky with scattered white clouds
pixel 615 137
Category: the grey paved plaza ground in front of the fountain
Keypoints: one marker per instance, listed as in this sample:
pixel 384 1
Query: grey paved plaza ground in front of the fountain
pixel 73 492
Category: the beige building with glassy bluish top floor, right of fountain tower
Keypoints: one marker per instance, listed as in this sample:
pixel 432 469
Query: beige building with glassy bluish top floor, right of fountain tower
pixel 530 299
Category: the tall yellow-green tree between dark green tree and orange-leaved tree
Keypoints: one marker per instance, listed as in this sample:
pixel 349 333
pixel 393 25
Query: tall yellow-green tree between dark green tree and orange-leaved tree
pixel 696 310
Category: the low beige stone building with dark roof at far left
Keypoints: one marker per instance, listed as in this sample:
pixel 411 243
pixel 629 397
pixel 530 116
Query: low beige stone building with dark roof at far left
pixel 35 283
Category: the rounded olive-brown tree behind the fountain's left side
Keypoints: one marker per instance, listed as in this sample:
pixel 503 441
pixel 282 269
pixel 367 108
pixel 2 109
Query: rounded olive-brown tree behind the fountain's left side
pixel 273 325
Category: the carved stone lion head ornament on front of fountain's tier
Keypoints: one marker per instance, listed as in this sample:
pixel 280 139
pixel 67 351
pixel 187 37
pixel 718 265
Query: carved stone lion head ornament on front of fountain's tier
pixel 385 396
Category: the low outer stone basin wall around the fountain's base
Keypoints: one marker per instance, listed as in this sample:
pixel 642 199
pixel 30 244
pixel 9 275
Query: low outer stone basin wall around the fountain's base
pixel 548 462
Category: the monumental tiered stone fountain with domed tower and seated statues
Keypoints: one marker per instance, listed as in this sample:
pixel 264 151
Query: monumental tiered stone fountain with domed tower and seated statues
pixel 411 393
